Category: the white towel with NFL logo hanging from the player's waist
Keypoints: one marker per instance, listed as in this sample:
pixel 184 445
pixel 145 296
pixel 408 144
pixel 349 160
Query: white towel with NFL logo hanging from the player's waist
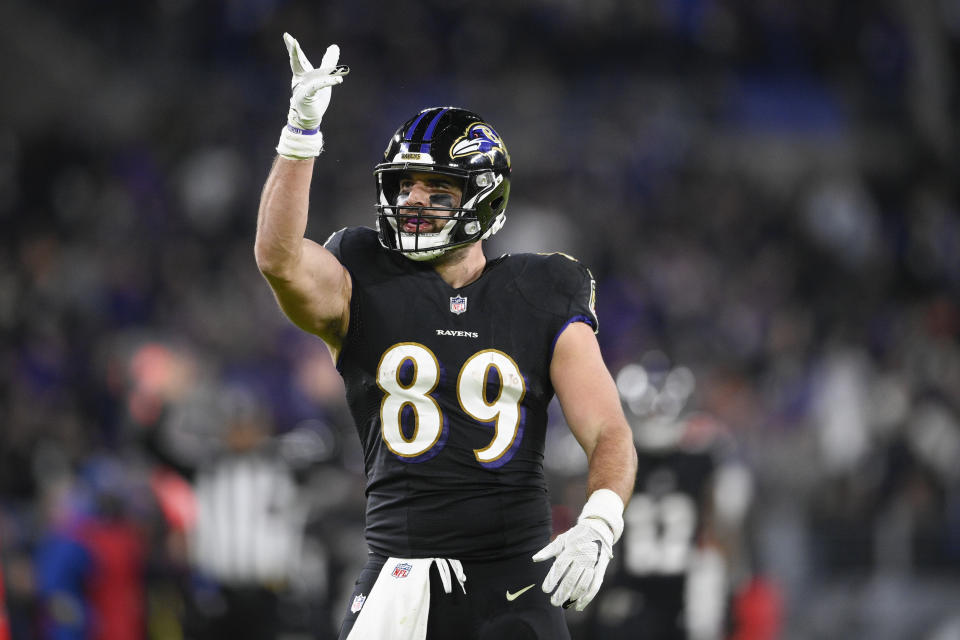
pixel 399 602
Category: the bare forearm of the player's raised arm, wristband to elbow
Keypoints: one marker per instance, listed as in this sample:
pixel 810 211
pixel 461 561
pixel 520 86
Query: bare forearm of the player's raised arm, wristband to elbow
pixel 282 218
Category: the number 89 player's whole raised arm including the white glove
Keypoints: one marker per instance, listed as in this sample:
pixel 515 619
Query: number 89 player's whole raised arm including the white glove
pixel 310 284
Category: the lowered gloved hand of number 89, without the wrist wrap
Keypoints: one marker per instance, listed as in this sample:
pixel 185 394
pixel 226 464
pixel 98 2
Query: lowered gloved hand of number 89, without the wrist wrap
pixel 582 555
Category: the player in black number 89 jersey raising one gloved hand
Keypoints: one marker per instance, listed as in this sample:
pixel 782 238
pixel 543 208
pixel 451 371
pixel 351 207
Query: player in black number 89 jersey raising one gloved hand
pixel 449 361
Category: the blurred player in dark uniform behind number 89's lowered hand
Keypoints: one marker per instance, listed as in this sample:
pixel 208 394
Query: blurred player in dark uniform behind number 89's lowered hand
pixel 682 543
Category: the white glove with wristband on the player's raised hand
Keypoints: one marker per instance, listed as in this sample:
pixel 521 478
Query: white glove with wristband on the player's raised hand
pixel 311 87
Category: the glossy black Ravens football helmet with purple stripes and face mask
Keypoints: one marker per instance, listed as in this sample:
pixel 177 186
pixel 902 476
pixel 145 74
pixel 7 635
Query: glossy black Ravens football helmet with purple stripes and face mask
pixel 452 142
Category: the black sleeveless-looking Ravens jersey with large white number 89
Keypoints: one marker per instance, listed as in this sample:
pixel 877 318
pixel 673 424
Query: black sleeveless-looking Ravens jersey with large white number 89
pixel 449 390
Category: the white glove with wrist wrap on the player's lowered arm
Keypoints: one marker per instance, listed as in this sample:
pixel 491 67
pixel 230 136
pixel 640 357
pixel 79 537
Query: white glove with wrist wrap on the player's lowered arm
pixel 583 552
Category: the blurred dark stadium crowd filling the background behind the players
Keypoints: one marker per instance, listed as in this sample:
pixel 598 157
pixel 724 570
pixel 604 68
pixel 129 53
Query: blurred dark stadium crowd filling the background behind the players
pixel 765 191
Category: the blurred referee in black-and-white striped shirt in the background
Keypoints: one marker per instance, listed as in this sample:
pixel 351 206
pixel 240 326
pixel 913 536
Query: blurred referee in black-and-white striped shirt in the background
pixel 246 541
